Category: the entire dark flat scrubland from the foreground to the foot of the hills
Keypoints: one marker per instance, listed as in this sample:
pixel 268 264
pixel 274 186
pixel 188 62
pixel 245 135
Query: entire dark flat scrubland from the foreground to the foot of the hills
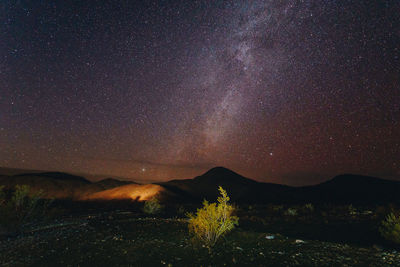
pixel 267 236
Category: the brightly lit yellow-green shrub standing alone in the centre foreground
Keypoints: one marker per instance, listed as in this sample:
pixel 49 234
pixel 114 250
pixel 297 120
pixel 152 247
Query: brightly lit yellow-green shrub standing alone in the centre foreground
pixel 213 220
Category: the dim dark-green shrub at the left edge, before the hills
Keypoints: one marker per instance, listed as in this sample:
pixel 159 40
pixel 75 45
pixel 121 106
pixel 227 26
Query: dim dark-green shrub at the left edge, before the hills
pixel 22 208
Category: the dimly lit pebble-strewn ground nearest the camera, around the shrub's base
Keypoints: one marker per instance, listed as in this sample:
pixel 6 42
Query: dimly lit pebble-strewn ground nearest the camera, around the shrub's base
pixel 129 239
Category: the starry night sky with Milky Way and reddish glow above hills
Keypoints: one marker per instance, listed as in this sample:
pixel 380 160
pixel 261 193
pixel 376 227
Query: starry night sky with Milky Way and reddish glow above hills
pixel 290 92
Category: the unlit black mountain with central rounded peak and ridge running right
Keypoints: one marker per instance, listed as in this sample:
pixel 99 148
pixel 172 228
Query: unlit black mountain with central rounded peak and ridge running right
pixel 341 189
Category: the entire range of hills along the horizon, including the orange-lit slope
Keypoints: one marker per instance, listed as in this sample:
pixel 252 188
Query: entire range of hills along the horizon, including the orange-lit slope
pixel 345 188
